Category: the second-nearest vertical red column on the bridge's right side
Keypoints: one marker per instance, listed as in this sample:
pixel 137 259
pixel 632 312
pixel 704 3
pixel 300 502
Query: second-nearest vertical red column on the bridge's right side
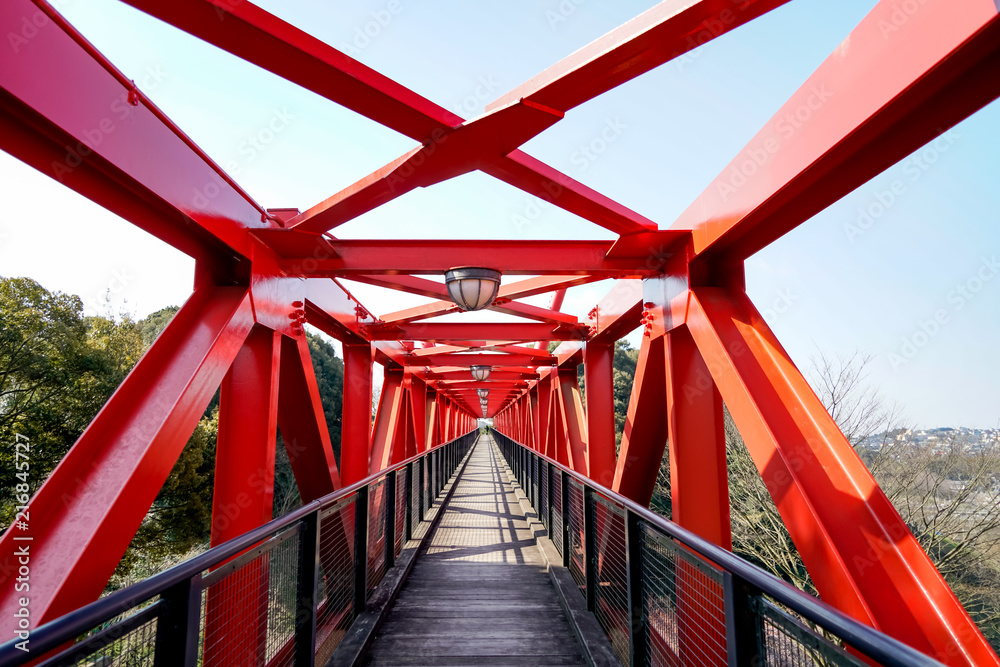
pixel 598 371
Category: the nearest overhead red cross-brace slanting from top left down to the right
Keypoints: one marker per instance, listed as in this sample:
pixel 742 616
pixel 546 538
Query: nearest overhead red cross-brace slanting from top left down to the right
pixel 302 59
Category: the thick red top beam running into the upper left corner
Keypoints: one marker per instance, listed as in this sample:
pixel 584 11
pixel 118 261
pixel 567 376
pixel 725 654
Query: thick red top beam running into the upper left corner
pixel 100 143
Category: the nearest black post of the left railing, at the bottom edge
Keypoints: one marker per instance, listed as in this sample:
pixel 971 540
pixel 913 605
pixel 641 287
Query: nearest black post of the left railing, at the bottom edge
pixel 179 626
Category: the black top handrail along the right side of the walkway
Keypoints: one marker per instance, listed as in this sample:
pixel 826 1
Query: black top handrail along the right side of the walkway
pixel 866 640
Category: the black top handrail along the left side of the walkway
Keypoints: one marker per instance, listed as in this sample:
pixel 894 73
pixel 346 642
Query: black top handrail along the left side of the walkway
pixel 64 629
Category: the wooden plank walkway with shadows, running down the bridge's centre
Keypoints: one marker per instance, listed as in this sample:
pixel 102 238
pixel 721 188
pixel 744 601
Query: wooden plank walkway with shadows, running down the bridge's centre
pixel 479 594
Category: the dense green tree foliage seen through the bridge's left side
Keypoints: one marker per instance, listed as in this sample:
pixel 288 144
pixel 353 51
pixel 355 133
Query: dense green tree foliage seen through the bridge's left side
pixel 58 368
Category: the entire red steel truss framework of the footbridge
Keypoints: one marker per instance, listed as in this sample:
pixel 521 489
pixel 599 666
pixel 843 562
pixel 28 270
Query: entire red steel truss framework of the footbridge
pixel 262 273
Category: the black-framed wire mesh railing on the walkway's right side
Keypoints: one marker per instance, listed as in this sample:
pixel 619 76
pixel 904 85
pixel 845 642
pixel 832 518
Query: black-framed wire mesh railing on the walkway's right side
pixel 664 596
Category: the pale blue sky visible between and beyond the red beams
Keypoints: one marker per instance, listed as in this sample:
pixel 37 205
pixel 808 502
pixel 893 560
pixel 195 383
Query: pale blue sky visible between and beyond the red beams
pixel 911 284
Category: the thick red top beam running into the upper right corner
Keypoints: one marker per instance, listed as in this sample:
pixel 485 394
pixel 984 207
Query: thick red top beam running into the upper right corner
pixel 866 107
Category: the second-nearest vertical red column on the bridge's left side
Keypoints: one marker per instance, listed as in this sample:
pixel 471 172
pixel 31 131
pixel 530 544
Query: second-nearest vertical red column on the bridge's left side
pixel 356 426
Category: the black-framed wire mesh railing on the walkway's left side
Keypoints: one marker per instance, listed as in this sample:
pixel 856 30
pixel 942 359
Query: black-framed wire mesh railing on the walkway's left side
pixel 284 594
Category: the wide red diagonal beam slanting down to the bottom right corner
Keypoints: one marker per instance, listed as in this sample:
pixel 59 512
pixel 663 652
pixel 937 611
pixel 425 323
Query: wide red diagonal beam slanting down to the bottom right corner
pixel 861 555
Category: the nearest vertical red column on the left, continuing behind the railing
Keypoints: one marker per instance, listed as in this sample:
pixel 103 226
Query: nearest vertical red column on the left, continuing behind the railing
pixel 243 498
